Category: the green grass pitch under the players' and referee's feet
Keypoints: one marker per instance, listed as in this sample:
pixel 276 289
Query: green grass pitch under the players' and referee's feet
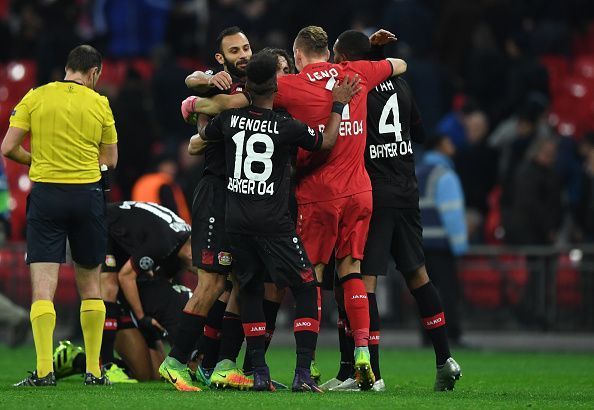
pixel 490 379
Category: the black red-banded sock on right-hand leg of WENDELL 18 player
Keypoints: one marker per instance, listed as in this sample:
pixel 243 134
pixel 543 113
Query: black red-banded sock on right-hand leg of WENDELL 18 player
pixel 306 325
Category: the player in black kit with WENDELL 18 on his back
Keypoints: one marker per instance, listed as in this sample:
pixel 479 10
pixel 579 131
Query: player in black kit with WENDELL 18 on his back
pixel 258 144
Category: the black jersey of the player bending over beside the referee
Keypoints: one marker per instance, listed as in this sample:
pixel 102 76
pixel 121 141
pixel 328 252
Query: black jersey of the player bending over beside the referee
pixel 150 233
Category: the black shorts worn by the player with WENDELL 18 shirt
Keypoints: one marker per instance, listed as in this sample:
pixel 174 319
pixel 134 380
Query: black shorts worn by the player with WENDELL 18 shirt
pixel 283 257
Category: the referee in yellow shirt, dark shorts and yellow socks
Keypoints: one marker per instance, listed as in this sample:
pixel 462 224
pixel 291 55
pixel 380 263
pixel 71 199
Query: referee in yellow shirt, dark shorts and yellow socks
pixel 72 134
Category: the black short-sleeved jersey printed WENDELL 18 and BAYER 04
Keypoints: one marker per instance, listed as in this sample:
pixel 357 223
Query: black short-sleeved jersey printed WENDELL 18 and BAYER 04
pixel 259 145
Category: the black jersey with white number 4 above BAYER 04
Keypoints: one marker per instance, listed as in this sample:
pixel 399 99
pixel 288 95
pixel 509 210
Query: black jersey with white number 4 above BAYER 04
pixel 393 121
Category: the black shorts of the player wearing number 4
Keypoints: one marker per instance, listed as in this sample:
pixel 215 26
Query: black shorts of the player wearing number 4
pixel 395 232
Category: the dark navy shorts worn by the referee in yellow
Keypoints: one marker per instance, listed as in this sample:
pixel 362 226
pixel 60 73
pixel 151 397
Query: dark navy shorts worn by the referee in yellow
pixel 59 211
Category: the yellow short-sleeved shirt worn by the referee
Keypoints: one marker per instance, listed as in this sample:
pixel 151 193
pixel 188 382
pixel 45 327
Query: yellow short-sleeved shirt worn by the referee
pixel 67 122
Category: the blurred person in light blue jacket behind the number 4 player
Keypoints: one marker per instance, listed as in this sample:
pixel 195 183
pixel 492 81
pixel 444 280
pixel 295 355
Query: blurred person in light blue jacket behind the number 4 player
pixel 444 226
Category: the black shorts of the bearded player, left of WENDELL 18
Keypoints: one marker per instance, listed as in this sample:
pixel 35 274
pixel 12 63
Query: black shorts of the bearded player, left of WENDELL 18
pixel 210 245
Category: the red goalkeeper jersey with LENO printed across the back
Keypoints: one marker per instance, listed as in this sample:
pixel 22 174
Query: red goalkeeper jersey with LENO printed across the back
pixel 307 96
